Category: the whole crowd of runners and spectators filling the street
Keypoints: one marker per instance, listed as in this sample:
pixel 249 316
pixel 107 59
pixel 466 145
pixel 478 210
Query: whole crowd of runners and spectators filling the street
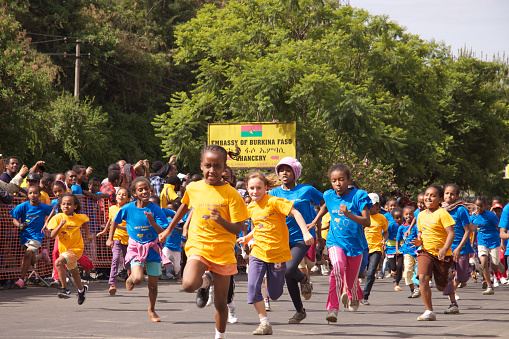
pixel 286 230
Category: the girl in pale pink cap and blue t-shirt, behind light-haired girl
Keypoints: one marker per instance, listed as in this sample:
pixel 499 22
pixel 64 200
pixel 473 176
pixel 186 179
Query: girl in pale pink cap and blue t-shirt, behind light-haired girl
pixel 302 196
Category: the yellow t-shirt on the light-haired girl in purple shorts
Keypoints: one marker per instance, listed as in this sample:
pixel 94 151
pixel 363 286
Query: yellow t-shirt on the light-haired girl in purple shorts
pixel 270 231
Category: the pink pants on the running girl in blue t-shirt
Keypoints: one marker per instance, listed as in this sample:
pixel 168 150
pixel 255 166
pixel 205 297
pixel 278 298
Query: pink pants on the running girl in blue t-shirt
pixel 345 270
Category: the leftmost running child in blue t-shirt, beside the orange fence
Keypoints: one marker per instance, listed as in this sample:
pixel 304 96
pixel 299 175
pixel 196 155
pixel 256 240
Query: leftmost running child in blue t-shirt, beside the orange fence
pixel 29 217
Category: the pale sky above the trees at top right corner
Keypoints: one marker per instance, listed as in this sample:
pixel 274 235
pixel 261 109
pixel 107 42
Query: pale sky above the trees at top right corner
pixel 481 26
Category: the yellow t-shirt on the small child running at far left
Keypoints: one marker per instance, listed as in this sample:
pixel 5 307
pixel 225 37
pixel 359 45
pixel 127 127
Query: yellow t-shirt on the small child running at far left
pixel 69 236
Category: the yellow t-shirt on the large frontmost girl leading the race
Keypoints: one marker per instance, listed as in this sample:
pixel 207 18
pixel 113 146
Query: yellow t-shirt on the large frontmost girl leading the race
pixel 206 237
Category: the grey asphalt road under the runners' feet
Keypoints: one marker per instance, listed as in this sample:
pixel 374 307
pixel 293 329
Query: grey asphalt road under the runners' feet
pixel 36 312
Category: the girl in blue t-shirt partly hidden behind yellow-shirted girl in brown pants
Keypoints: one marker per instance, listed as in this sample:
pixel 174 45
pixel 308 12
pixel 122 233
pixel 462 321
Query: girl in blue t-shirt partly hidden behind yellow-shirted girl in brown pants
pixel 461 247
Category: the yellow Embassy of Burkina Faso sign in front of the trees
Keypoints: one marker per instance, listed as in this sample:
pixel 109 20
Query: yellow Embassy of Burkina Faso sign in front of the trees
pixel 255 144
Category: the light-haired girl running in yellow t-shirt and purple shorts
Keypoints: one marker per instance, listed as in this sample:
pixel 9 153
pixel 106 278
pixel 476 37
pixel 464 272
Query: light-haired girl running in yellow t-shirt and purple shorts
pixel 270 250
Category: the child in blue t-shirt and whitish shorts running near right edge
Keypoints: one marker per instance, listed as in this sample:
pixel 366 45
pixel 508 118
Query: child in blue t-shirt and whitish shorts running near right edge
pixel 488 241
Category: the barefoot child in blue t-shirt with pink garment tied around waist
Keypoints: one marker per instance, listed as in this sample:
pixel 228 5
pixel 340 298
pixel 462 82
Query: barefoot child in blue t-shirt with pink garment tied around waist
pixel 144 221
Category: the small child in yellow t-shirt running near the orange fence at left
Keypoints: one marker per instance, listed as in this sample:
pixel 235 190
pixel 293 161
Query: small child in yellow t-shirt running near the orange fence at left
pixel 67 227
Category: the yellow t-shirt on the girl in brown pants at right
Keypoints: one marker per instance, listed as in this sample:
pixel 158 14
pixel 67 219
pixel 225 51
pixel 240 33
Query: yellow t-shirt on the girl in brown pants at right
pixel 432 227
